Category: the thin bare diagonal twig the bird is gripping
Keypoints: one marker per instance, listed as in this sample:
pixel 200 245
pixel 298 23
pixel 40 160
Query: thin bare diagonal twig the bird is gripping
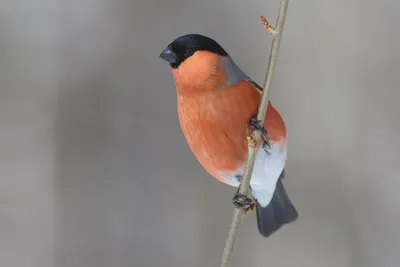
pixel 255 138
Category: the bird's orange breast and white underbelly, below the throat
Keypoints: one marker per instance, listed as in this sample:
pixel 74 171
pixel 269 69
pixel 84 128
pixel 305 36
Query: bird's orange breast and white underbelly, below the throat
pixel 215 127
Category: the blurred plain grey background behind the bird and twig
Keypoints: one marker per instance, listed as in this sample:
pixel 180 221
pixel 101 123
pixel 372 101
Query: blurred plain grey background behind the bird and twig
pixel 94 170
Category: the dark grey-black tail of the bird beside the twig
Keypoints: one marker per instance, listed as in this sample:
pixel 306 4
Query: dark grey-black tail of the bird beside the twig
pixel 279 211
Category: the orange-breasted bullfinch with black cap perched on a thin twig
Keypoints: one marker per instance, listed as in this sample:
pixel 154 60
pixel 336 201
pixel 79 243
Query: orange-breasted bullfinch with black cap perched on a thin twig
pixel 217 104
